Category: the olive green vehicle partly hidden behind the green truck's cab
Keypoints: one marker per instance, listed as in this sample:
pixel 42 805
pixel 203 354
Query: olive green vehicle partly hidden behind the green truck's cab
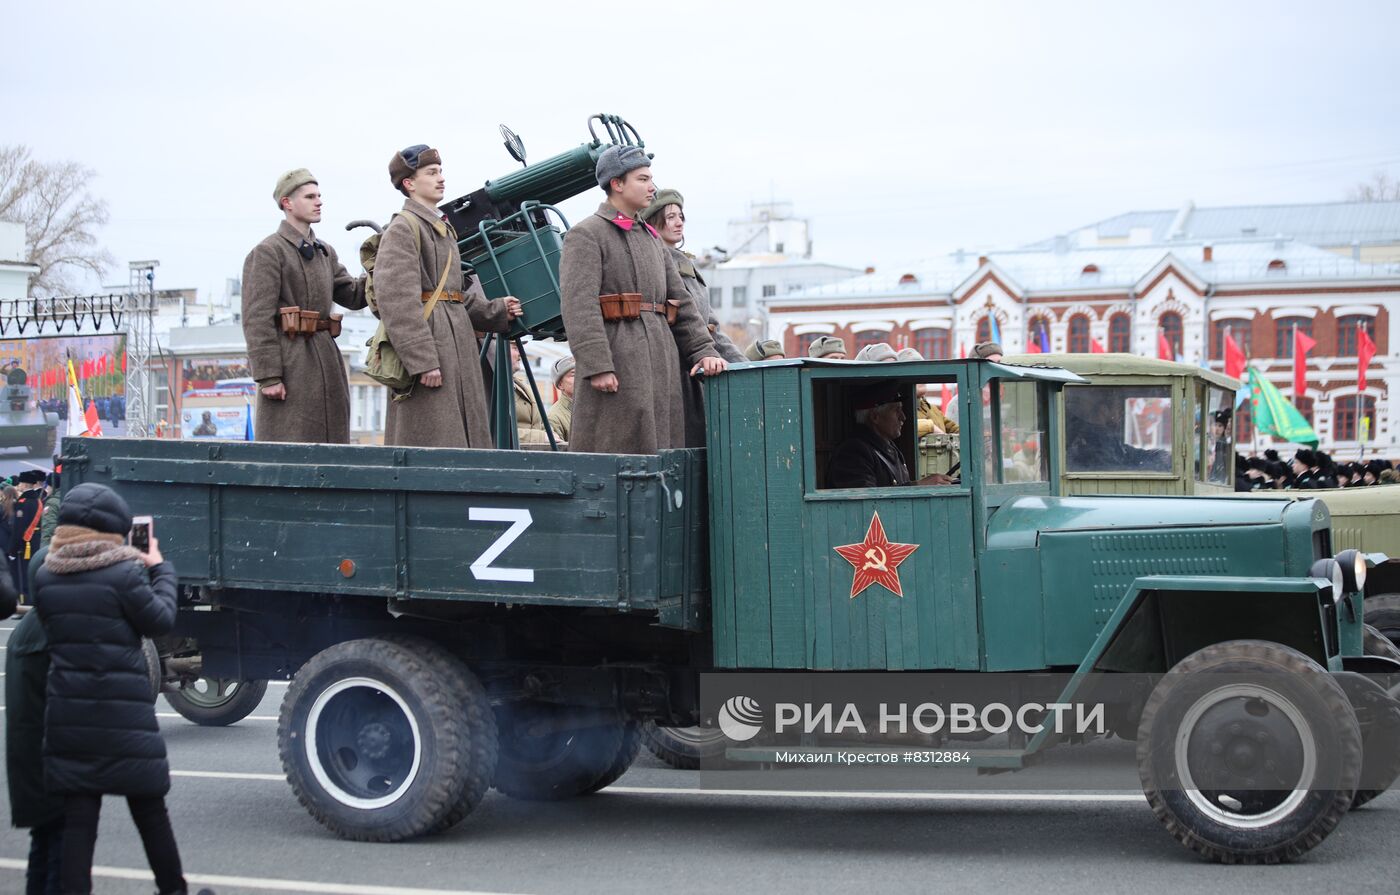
pixel 1161 410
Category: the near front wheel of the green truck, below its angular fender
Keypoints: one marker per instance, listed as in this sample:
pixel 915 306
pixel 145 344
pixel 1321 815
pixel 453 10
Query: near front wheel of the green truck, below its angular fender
pixel 1226 697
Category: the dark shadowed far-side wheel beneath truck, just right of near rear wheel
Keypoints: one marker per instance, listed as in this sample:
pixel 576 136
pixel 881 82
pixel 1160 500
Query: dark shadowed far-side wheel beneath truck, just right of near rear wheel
pixel 559 764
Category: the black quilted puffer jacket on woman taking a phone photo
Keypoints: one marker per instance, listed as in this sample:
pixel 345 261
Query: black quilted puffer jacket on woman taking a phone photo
pixel 100 725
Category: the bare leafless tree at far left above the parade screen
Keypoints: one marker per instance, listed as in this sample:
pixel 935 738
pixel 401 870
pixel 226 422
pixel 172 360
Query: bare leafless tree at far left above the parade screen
pixel 61 219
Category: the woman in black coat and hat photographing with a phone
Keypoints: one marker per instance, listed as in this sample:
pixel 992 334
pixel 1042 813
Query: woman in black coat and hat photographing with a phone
pixel 97 597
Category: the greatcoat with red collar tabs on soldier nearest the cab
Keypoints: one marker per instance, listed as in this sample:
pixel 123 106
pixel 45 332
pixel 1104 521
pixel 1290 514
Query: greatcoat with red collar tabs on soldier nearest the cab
pixel 604 254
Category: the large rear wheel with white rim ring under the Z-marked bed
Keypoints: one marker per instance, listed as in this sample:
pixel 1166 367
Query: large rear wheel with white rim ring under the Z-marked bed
pixel 387 739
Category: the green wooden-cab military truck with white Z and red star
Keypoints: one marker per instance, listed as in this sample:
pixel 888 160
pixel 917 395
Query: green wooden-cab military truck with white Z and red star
pixel 456 620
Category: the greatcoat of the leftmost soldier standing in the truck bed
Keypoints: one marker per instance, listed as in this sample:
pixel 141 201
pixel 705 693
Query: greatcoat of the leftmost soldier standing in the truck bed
pixel 318 400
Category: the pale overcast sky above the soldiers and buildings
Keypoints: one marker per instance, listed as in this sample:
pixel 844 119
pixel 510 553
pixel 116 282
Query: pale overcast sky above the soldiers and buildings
pixel 901 131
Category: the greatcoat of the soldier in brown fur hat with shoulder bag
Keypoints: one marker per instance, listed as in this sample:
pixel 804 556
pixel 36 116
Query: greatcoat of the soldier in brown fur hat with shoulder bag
pixel 454 415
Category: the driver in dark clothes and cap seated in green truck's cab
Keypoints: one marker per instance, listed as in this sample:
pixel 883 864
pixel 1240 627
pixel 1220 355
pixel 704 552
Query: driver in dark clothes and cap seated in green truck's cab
pixel 870 457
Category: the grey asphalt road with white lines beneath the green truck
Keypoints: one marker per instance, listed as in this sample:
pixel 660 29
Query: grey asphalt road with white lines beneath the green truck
pixel 657 830
